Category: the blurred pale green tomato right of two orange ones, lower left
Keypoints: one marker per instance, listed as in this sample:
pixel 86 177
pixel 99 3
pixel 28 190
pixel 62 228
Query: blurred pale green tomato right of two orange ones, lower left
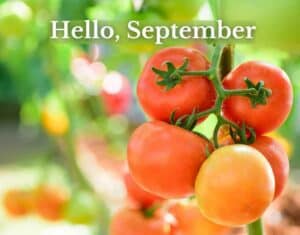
pixel 84 208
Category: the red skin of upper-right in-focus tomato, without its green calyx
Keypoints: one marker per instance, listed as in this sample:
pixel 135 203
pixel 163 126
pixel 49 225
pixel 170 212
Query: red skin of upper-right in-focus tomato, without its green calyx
pixel 263 118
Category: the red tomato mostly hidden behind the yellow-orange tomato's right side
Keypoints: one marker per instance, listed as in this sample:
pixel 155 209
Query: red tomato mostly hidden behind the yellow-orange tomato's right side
pixel 277 158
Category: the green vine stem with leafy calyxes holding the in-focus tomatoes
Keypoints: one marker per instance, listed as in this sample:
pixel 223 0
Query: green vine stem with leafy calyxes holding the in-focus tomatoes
pixel 221 65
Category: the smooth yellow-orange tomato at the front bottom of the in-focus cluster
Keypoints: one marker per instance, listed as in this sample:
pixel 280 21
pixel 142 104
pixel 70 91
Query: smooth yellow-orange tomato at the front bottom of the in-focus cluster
pixel 235 185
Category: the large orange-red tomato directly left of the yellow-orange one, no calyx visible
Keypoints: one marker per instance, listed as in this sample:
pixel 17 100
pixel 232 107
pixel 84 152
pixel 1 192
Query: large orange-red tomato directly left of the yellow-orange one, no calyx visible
pixel 165 159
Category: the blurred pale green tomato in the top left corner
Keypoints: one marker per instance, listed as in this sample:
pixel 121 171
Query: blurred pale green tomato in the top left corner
pixel 14 18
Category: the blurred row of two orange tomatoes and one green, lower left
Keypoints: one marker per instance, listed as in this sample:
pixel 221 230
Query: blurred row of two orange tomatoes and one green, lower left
pixel 52 204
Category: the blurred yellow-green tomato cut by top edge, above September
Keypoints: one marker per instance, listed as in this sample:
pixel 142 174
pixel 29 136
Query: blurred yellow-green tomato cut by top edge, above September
pixel 176 10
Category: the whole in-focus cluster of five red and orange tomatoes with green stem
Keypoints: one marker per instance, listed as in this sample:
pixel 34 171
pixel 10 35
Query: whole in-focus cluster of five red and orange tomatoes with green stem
pixel 234 180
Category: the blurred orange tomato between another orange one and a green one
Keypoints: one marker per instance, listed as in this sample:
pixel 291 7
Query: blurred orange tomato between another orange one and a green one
pixel 50 202
